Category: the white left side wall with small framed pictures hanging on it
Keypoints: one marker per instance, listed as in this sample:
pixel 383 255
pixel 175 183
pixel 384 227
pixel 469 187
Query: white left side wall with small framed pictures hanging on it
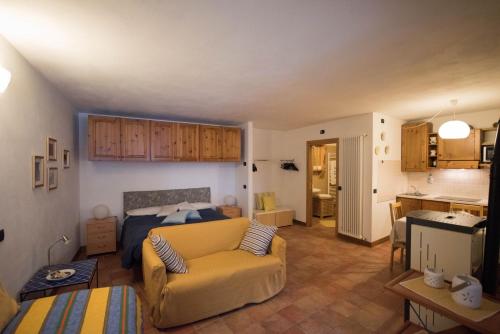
pixel 30 110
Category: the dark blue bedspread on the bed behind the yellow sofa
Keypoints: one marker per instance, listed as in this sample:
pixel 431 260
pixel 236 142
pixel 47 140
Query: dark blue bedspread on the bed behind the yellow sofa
pixel 135 229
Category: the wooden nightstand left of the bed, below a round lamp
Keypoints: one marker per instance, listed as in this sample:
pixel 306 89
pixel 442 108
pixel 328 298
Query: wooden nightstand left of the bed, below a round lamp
pixel 101 235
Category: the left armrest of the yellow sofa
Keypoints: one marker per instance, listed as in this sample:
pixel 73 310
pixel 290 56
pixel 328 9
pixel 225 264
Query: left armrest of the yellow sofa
pixel 155 277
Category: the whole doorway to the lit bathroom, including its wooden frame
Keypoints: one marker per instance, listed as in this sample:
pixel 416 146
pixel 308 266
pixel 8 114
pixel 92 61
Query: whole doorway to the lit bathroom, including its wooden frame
pixel 321 185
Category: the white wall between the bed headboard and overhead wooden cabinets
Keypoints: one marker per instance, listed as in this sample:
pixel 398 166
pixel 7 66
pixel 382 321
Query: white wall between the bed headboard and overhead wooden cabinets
pixel 103 182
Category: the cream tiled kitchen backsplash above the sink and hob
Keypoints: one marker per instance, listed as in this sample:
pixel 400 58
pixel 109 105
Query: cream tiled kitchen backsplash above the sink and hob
pixel 472 183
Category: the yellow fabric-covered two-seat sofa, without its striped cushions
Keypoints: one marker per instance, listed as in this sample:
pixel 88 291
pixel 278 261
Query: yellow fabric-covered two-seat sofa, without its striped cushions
pixel 221 277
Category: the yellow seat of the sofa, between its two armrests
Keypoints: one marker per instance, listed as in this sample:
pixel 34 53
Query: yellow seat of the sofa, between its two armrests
pixel 224 269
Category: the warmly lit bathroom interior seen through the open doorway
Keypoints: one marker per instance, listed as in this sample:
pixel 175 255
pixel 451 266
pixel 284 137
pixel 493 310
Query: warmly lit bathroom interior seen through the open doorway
pixel 324 184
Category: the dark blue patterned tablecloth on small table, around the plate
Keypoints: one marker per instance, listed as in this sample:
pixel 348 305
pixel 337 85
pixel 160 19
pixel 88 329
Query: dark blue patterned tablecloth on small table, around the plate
pixel 85 270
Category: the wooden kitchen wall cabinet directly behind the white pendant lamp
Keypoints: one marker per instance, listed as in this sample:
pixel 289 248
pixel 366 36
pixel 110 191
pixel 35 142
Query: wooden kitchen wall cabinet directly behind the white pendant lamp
pixel 460 153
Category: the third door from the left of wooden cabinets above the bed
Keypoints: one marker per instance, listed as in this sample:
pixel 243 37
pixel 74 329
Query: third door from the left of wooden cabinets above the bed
pixel 163 141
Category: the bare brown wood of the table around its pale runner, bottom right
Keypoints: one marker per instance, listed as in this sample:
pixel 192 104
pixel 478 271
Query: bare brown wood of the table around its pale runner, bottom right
pixel 490 325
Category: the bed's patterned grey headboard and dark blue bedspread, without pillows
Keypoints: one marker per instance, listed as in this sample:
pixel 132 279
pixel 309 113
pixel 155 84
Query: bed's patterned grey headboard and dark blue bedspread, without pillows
pixel 135 228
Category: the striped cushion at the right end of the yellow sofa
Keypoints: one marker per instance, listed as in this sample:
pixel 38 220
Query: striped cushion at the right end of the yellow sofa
pixel 258 238
